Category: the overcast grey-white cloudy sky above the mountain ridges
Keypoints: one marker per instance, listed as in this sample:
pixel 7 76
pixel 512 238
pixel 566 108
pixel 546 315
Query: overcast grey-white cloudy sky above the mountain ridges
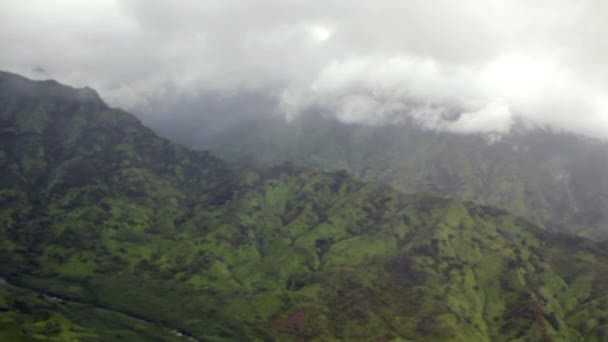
pixel 468 66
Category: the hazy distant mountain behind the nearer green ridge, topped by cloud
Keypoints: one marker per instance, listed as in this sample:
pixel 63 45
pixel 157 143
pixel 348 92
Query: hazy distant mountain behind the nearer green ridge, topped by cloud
pixel 556 180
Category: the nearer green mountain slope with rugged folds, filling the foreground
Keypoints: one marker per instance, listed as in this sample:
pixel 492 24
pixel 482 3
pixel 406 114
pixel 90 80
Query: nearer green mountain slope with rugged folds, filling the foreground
pixel 108 230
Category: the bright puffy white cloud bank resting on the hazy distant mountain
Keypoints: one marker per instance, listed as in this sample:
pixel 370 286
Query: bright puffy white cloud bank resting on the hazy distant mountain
pixel 461 99
